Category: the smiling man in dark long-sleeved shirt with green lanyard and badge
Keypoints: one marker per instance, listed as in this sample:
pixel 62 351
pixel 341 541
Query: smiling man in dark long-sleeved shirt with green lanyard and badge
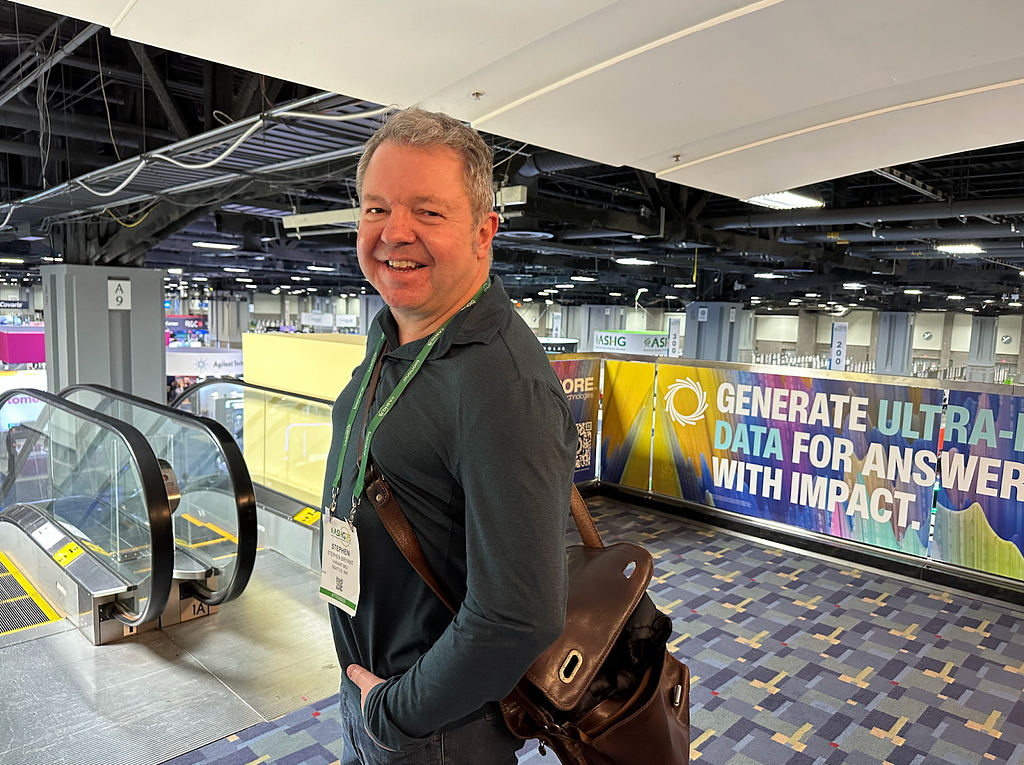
pixel 479 449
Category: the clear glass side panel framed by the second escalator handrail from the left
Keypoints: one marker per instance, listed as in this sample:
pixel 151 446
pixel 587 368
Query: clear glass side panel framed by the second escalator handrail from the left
pixel 207 519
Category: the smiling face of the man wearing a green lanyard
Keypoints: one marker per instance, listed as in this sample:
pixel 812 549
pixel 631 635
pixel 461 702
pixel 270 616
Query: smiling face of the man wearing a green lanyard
pixel 418 244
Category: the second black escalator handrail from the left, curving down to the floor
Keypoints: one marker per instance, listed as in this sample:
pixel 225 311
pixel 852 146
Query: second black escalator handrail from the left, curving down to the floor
pixel 238 474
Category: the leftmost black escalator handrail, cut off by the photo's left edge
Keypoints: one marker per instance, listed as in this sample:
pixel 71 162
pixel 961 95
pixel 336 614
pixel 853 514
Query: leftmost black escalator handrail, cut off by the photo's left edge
pixel 154 495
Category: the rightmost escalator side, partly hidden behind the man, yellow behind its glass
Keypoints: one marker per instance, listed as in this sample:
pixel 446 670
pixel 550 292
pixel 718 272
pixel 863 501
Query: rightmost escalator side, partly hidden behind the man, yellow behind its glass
pixel 285 439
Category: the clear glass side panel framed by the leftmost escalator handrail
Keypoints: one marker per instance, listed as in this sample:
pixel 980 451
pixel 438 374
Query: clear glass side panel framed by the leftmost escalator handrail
pixel 89 479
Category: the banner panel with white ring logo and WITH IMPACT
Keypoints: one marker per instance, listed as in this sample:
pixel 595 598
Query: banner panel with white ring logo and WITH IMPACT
pixel 847 459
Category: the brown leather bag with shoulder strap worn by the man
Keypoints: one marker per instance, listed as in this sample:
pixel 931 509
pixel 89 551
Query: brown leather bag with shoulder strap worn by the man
pixel 608 692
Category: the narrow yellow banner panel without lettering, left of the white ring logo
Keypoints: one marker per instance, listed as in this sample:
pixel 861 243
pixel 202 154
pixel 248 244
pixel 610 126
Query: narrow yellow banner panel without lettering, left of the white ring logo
pixel 627 423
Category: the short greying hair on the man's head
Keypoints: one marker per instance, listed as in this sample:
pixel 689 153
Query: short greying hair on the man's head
pixel 421 130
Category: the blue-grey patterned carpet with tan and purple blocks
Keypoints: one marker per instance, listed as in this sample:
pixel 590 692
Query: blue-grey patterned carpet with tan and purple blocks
pixel 793 660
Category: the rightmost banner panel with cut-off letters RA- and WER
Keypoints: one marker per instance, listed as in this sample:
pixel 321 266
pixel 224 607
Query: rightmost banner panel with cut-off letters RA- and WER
pixel 979 518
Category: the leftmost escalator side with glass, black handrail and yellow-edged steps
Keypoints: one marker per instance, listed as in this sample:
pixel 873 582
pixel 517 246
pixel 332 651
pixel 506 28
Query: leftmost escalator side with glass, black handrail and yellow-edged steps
pixel 86 522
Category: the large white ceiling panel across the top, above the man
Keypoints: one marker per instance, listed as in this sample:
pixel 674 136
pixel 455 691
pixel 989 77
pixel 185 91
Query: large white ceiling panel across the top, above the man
pixel 754 96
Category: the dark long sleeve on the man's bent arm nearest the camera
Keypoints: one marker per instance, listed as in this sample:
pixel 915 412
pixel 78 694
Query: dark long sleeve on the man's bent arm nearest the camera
pixel 515 461
